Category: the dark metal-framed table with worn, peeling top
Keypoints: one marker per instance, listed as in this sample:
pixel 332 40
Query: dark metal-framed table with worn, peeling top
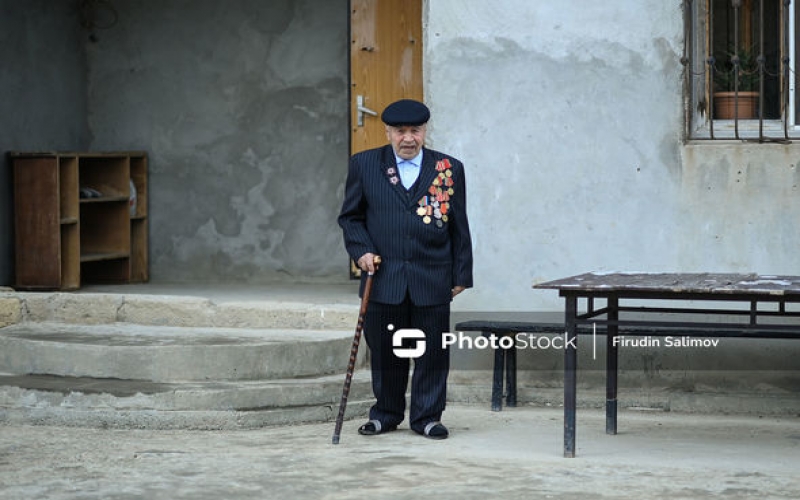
pixel 628 303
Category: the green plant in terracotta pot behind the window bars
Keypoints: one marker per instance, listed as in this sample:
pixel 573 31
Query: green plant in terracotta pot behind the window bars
pixel 736 94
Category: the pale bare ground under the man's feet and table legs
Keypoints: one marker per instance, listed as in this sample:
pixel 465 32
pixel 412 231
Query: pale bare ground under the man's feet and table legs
pixel 512 454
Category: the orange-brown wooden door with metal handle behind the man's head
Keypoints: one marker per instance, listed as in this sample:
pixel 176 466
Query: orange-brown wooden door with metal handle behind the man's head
pixel 385 63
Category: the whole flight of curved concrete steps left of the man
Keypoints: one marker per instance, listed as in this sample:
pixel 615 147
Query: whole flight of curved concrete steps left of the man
pixel 175 361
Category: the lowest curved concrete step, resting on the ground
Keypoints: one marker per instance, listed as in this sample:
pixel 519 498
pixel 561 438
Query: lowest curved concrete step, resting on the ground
pixel 53 400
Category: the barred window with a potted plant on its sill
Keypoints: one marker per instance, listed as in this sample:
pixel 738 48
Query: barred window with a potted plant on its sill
pixel 739 70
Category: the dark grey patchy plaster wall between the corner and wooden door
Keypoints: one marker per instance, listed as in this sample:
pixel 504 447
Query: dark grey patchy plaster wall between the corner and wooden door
pixel 243 108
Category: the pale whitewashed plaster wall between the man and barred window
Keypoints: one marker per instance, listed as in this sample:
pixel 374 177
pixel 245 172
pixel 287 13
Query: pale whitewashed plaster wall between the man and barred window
pixel 569 119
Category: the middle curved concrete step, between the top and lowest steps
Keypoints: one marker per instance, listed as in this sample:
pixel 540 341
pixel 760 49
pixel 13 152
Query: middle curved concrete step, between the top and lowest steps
pixel 171 354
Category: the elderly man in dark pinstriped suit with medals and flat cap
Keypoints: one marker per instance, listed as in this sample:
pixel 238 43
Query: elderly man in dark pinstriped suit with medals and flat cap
pixel 407 204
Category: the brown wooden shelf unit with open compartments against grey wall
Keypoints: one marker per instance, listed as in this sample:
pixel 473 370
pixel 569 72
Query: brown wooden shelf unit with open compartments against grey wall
pixel 64 239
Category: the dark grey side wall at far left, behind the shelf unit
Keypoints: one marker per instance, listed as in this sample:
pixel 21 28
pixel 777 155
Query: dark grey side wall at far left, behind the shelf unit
pixel 43 84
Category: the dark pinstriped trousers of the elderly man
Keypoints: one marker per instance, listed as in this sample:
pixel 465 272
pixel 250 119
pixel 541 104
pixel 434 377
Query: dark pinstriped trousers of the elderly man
pixel 390 373
